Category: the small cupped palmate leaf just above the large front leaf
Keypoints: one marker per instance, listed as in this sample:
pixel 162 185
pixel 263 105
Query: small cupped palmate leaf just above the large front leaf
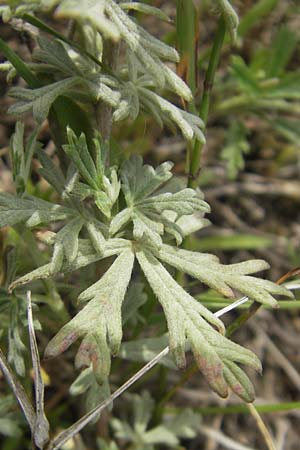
pixel 145 209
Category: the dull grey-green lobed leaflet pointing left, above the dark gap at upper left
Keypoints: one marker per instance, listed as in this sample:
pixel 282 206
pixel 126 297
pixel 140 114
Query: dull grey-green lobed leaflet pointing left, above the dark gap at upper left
pixel 41 99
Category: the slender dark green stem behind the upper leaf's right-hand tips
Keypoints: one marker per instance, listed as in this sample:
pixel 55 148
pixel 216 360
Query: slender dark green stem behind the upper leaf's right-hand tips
pixel 194 164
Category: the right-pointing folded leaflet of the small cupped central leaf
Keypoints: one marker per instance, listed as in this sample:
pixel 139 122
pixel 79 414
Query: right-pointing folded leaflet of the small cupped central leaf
pixel 183 202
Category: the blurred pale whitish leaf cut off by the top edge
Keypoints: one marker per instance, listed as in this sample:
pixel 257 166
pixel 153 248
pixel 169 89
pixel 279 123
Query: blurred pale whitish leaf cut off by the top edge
pixel 92 11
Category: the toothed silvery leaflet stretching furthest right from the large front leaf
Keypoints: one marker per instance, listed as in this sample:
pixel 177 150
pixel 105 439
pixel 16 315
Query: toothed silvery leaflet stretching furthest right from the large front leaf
pixel 224 278
